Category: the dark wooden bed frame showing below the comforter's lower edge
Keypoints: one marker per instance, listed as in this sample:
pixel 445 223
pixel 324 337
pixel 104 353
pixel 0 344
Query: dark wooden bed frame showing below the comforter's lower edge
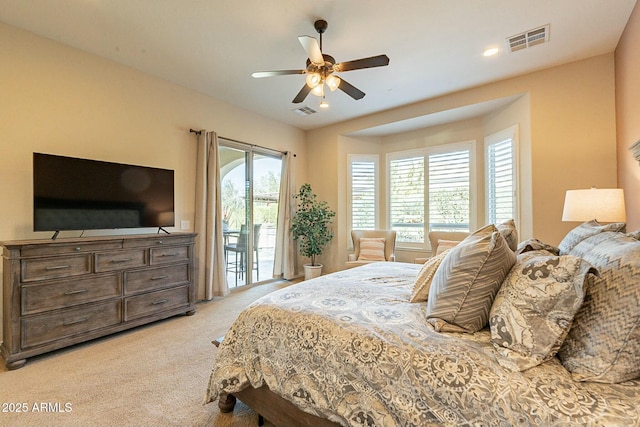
pixel 271 406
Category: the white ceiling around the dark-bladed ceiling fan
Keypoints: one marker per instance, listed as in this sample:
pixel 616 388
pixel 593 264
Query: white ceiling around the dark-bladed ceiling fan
pixel 435 46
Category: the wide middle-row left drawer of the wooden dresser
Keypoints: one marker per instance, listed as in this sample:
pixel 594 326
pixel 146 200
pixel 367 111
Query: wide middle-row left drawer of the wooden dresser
pixel 37 298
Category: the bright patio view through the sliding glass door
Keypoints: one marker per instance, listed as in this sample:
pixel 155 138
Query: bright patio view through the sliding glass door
pixel 250 180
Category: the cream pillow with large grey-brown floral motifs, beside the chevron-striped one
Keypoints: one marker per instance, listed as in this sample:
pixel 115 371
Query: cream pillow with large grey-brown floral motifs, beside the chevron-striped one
pixel 535 306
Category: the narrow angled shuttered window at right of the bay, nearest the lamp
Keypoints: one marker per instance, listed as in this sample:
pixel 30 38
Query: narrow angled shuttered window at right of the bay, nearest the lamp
pixel 501 176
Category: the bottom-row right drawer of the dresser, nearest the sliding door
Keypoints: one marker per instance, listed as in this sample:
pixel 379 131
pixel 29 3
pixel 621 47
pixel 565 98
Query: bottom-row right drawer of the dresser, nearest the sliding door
pixel 155 302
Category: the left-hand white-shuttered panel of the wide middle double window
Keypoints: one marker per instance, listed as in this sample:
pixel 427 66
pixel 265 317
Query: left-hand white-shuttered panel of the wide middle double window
pixel 406 198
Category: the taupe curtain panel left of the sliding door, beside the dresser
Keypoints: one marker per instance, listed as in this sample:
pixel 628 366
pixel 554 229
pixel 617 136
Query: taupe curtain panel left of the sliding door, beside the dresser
pixel 209 249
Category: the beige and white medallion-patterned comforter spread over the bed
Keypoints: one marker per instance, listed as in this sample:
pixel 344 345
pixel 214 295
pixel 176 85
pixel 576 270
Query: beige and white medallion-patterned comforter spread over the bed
pixel 350 347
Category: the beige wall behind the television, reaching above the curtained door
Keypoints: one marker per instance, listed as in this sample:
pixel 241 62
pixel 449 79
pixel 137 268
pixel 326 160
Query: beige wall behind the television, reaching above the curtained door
pixel 59 100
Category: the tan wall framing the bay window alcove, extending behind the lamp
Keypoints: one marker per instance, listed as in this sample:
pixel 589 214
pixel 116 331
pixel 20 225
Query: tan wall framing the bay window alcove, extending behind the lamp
pixel 570 134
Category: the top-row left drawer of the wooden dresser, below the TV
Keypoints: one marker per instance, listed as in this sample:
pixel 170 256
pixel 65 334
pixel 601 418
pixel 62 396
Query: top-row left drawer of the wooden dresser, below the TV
pixel 53 268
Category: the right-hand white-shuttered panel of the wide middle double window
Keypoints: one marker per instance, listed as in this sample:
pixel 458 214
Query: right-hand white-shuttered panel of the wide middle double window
pixel 449 191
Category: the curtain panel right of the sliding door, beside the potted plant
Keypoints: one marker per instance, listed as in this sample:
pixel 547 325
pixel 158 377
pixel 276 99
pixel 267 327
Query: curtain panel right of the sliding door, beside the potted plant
pixel 285 260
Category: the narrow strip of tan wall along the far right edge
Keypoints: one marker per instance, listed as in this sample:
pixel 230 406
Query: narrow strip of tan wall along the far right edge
pixel 628 115
